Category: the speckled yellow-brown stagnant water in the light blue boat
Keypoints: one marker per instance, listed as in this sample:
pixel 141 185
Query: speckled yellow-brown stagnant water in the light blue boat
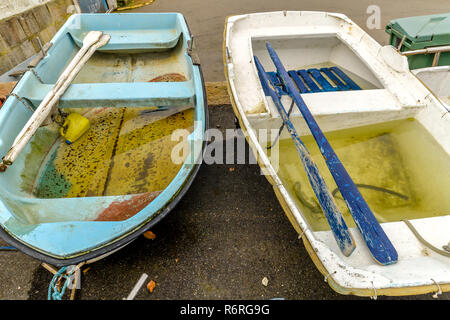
pixel 126 151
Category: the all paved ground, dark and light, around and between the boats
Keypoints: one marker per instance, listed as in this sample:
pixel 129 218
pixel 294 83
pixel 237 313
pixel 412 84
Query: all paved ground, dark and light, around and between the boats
pixel 229 231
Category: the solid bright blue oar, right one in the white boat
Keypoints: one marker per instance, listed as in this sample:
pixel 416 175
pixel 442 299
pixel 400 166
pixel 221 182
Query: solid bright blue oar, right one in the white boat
pixel 378 243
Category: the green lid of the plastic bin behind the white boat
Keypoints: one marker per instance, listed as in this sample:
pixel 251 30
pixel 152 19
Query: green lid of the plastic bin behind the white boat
pixel 431 28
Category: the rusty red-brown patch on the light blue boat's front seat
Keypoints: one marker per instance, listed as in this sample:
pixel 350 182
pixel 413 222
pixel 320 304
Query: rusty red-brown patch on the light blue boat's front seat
pixel 123 210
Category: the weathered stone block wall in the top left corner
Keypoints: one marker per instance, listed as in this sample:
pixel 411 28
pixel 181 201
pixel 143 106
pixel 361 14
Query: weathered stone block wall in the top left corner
pixel 19 32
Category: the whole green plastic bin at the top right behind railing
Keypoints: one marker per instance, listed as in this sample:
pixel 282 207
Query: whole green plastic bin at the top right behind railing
pixel 420 33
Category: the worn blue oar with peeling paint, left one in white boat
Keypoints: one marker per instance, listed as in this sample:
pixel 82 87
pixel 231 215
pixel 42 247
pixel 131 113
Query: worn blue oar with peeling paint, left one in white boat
pixel 337 223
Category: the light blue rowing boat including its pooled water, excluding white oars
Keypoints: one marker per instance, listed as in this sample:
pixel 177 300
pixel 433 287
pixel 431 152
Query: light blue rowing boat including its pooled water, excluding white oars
pixel 120 150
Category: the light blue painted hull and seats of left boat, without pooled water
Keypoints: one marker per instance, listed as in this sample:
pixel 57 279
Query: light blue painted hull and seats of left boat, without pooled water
pixel 59 240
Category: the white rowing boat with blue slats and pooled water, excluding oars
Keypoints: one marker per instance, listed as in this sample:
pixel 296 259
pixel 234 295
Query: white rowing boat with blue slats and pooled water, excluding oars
pixel 389 130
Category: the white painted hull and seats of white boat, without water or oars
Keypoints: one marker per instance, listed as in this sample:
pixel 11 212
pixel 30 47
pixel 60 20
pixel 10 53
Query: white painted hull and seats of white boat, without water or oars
pixel 397 95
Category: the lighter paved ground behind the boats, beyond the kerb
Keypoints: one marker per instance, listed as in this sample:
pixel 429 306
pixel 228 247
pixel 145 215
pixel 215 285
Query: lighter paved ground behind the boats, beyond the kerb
pixel 206 18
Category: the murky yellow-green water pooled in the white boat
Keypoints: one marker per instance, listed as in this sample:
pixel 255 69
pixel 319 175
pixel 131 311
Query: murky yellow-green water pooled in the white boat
pixel 400 169
